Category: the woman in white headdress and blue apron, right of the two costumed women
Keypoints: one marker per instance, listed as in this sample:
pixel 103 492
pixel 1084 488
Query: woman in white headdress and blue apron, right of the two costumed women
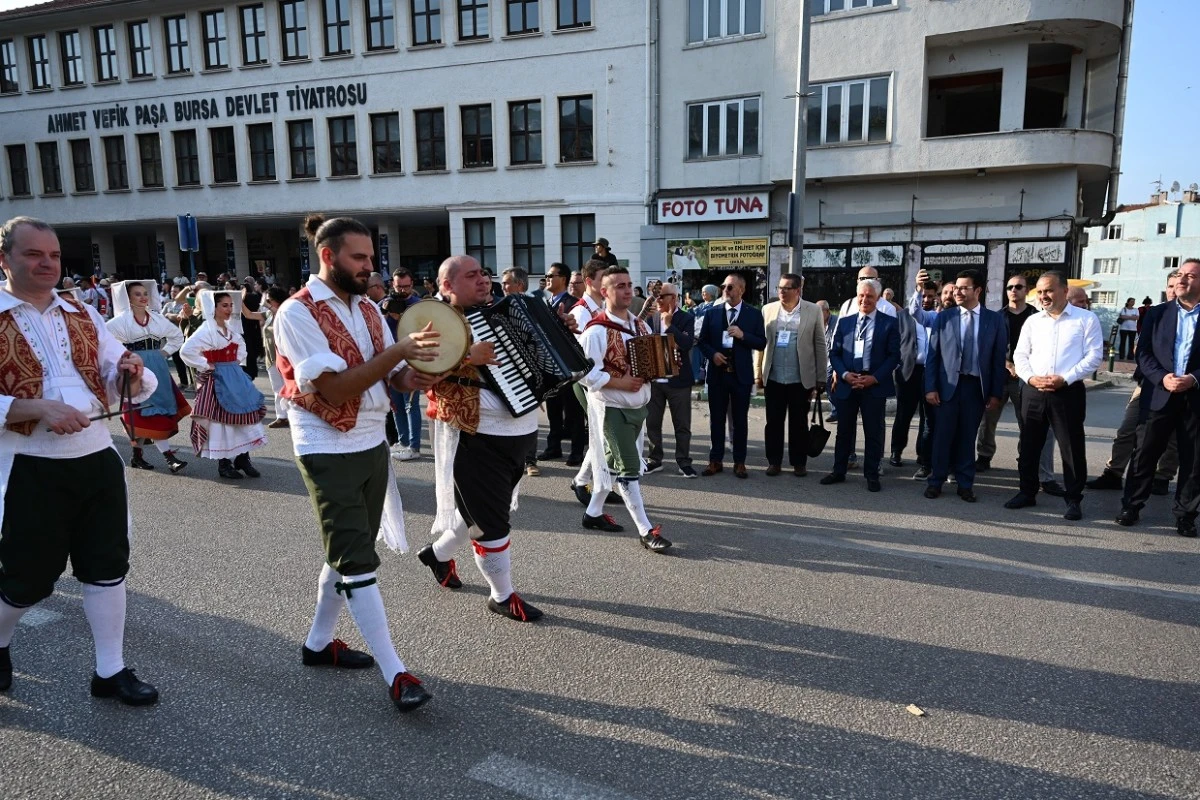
pixel 227 419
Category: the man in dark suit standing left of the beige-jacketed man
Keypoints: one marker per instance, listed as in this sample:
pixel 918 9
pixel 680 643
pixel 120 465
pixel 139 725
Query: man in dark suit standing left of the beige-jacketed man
pixel 729 336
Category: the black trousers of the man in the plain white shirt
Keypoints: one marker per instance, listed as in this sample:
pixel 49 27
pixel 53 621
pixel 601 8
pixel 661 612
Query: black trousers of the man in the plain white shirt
pixel 1063 412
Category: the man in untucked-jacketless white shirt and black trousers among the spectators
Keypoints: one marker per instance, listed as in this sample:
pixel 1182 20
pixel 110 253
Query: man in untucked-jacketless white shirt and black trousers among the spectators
pixel 1058 350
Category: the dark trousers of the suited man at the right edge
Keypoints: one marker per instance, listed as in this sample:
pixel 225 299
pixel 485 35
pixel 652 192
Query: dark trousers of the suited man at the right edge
pixel 1179 420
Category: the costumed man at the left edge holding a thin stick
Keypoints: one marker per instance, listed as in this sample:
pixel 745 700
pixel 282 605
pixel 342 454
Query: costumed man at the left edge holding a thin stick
pixel 61 369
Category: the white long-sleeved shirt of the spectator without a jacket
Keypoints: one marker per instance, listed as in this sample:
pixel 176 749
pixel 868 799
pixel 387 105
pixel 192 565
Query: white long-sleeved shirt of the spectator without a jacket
pixel 1071 346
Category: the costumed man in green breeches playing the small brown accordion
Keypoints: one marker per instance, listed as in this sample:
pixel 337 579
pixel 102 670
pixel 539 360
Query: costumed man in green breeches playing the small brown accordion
pixel 617 411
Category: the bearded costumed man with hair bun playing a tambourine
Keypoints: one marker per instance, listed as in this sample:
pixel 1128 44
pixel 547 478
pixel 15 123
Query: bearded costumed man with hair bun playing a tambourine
pixel 335 353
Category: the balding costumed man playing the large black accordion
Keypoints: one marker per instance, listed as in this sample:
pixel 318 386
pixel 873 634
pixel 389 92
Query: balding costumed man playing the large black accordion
pixel 479 453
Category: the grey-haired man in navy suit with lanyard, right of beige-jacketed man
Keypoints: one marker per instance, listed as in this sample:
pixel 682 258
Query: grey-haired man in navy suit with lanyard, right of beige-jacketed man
pixel 863 354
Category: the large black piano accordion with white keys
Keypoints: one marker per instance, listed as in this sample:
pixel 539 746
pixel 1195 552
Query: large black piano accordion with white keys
pixel 538 353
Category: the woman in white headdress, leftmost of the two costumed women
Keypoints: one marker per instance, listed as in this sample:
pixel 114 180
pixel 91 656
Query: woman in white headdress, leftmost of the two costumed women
pixel 145 330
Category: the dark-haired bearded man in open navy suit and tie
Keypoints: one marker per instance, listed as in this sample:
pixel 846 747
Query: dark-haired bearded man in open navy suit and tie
pixel 964 376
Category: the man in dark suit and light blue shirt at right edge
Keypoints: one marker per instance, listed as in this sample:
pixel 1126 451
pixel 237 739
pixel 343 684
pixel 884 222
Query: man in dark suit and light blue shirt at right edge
pixel 1171 368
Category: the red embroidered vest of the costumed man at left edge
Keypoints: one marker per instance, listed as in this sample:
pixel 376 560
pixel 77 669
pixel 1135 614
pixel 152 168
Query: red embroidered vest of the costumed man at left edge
pixel 21 372
